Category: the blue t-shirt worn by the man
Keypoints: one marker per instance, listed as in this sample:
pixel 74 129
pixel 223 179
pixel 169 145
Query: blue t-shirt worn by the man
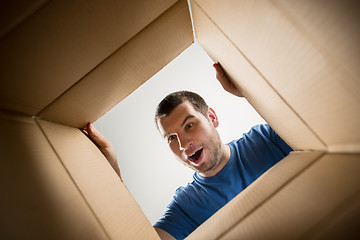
pixel 252 155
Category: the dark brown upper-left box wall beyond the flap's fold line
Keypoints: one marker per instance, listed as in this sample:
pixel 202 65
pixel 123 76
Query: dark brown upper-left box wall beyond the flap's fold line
pixel 62 42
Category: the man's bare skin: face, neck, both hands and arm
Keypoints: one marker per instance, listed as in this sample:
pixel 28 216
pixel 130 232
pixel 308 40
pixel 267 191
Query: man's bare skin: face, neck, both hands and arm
pixel 185 140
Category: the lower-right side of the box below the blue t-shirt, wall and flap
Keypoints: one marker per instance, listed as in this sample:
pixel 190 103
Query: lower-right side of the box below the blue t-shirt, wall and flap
pixel 307 203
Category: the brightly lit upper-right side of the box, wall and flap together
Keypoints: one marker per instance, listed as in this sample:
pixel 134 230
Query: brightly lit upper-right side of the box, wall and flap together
pixel 306 53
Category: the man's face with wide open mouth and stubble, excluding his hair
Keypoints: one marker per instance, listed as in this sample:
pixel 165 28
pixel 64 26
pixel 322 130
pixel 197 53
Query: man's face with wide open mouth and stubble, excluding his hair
pixel 192 137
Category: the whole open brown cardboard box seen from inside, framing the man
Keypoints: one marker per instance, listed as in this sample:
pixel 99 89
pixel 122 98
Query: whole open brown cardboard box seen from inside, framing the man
pixel 64 64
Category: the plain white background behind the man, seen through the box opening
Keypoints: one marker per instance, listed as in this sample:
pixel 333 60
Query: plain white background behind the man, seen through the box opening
pixel 148 168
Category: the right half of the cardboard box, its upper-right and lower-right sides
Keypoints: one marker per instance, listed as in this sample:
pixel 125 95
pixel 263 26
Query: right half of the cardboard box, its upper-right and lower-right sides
pixel 295 62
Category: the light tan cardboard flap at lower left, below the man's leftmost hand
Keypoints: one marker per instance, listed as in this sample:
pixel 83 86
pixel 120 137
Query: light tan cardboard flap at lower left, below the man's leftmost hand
pixel 106 195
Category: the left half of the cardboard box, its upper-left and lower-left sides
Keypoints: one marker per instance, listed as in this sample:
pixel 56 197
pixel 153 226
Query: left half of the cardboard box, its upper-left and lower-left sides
pixel 63 65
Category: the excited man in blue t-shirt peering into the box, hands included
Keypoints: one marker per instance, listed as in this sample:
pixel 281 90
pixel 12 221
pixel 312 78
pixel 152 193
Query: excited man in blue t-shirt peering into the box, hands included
pixel 221 170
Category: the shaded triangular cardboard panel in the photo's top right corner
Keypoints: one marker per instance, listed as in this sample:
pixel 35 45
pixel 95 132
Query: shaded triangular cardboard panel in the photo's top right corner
pixel 331 25
